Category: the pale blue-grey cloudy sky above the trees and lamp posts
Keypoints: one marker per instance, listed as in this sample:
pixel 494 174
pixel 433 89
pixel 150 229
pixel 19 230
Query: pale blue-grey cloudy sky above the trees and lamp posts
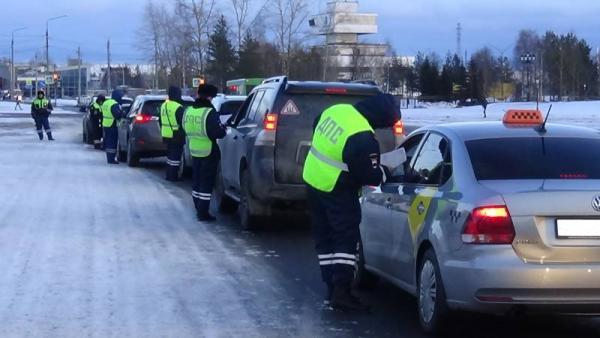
pixel 411 26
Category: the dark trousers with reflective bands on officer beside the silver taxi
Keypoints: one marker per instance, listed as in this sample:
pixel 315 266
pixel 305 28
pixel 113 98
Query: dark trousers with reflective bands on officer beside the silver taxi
pixel 336 219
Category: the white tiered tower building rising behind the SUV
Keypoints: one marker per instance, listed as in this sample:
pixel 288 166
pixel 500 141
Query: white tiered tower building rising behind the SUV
pixel 346 58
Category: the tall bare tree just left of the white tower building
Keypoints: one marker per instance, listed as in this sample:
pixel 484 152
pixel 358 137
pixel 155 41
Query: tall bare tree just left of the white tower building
pixel 289 17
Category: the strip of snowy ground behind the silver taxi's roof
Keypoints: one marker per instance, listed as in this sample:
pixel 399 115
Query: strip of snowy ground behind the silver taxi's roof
pixel 585 113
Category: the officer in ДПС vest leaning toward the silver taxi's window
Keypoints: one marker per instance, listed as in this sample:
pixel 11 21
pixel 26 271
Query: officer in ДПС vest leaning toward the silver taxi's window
pixel 343 158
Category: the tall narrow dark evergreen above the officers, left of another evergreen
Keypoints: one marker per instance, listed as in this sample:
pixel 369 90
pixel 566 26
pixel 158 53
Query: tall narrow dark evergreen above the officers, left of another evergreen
pixel 221 54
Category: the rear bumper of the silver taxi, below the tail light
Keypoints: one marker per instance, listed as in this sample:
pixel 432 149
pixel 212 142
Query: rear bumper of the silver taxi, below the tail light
pixel 497 281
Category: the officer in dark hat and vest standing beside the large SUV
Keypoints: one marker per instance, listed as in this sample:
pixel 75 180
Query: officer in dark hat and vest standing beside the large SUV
pixel 203 127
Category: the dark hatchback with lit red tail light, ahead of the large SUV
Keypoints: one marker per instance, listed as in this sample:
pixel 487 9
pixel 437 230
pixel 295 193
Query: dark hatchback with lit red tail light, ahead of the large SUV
pixel 139 131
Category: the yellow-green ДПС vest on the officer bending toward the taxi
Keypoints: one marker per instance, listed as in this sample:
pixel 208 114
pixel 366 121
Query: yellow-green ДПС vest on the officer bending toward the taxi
pixel 324 163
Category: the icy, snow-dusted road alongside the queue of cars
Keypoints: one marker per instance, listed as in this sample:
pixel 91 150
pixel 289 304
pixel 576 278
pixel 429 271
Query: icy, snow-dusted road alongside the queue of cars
pixel 94 250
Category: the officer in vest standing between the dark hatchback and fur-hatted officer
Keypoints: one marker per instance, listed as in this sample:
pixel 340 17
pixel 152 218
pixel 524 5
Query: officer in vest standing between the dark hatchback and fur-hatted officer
pixel 171 115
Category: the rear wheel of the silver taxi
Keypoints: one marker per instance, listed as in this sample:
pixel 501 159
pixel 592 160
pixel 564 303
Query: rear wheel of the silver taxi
pixel 432 308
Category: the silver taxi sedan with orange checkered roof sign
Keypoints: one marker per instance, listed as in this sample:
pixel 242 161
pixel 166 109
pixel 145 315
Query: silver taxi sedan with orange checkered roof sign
pixel 489 217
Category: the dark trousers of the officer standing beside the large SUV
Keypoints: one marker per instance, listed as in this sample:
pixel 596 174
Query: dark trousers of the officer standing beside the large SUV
pixel 205 173
